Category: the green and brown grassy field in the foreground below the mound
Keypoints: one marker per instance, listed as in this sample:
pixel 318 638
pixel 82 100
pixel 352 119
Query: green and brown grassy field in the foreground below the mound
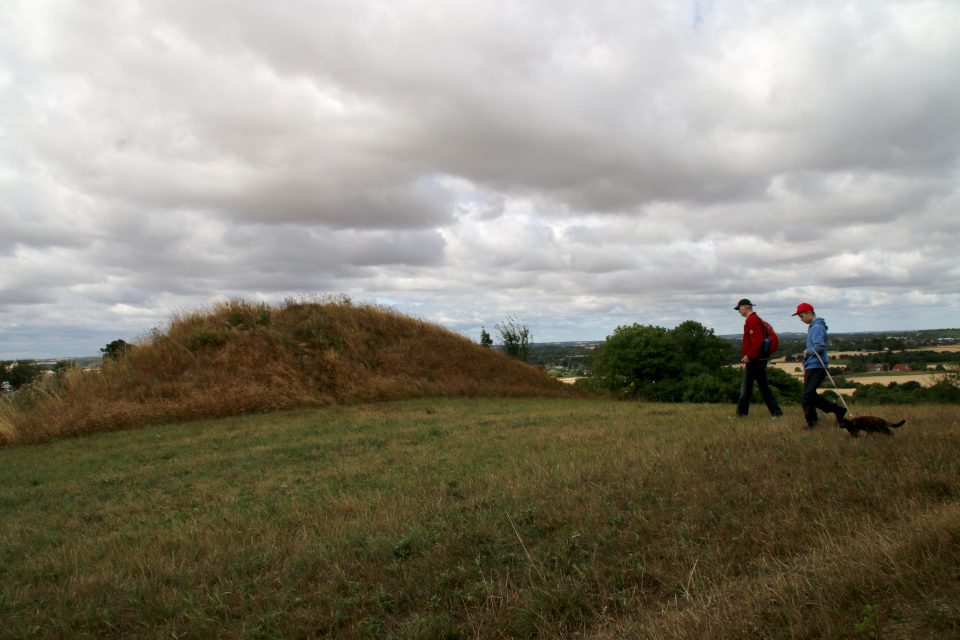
pixel 486 518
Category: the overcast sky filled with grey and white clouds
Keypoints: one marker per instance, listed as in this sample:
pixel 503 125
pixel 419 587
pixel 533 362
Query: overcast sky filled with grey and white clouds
pixel 582 165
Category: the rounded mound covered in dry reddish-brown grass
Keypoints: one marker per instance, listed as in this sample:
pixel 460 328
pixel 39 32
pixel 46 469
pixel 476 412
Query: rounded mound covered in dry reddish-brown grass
pixel 237 358
